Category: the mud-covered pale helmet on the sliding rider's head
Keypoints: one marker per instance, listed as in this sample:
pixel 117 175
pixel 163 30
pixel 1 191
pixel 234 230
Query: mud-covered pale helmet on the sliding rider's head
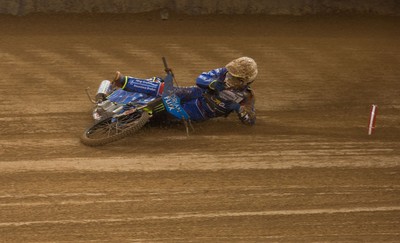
pixel 244 68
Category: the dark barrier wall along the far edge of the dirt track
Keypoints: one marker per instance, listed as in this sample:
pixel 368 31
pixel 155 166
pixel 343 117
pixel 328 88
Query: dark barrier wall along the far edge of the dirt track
pixel 272 7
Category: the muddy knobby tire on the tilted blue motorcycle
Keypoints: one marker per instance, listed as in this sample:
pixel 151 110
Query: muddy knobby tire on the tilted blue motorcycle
pixel 127 129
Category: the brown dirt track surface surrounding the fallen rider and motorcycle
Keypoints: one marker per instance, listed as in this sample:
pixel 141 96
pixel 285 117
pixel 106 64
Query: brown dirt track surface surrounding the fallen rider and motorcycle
pixel 307 171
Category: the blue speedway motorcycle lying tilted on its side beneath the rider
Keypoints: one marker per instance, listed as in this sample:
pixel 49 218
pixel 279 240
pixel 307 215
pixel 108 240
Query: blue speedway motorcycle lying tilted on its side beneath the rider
pixel 119 113
